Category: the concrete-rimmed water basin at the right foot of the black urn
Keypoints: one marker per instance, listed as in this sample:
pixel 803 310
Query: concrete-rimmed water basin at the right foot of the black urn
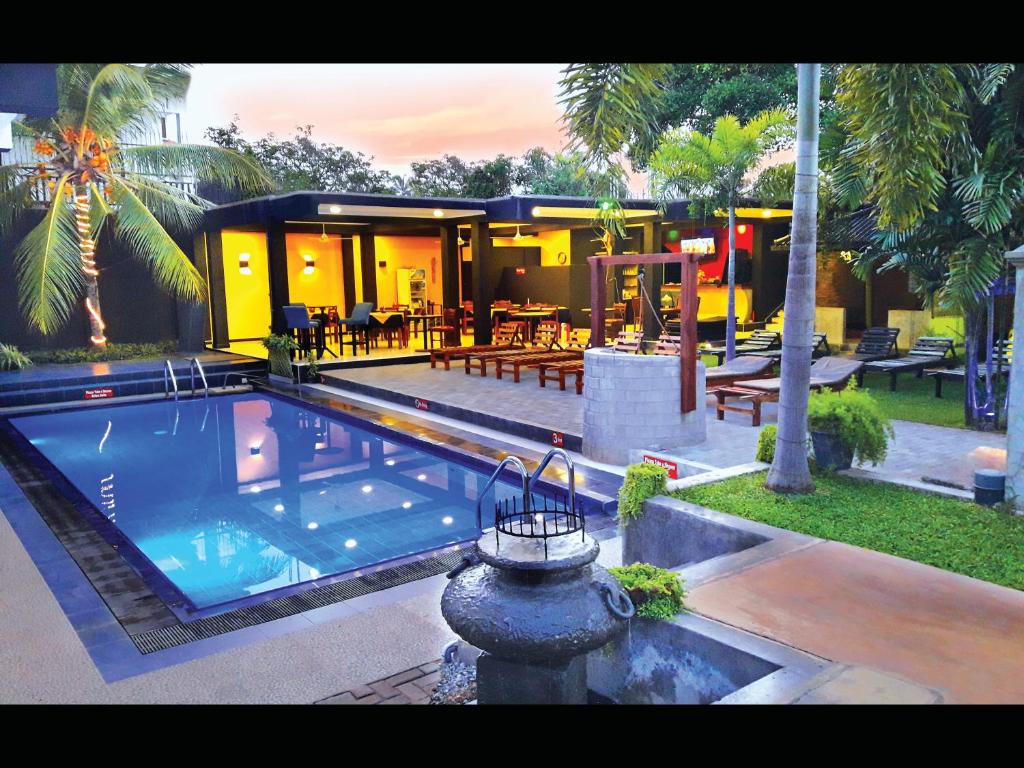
pixel 696 661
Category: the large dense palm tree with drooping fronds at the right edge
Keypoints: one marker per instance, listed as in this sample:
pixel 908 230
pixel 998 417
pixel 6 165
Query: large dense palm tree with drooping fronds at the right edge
pixel 938 151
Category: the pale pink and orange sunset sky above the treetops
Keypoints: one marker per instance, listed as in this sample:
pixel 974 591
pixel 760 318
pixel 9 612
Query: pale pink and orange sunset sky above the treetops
pixel 397 113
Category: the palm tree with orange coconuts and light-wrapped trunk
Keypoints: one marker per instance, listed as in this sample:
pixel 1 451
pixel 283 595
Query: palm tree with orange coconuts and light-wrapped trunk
pixel 93 178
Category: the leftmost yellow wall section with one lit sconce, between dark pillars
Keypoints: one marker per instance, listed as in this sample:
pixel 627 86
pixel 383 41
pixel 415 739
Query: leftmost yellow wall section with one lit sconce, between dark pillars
pixel 248 295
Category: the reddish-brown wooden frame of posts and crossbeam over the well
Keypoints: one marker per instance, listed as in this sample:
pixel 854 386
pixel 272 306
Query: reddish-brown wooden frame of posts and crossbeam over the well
pixel 688 312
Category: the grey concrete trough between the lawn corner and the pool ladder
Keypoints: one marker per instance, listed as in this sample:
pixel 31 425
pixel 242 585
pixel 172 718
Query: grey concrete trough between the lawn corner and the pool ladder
pixel 672 534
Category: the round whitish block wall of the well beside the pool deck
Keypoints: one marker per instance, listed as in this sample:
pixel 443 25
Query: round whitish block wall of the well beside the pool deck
pixel 632 402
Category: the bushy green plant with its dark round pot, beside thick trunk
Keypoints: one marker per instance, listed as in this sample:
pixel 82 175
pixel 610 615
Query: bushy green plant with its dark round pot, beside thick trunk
pixel 847 425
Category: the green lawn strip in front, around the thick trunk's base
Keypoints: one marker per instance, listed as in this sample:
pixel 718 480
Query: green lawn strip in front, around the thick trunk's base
pixel 950 534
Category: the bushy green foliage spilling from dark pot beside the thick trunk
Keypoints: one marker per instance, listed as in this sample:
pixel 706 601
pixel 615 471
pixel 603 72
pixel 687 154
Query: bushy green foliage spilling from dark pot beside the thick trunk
pixel 856 417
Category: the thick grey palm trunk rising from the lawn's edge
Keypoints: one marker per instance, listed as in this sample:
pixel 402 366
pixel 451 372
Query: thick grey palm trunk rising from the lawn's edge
pixel 790 473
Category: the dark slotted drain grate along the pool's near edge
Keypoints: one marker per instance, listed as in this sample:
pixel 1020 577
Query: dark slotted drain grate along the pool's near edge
pixel 181 634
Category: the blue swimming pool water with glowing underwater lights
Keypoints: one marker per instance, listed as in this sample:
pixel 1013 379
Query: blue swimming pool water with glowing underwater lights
pixel 235 496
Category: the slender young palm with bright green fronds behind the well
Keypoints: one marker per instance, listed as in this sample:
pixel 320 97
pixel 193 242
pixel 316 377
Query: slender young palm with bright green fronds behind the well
pixel 711 169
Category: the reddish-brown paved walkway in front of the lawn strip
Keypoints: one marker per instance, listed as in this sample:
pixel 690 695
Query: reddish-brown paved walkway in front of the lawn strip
pixel 958 635
